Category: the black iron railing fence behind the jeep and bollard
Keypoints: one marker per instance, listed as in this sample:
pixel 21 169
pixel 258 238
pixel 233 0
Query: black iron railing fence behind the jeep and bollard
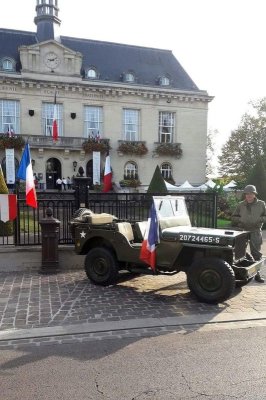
pixel 25 230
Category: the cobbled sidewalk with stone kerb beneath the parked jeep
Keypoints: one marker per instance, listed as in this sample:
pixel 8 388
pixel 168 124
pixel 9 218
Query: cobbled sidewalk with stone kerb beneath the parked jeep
pixel 34 305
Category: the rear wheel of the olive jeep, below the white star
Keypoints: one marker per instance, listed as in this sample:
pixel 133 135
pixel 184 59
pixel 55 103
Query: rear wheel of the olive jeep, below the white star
pixel 100 266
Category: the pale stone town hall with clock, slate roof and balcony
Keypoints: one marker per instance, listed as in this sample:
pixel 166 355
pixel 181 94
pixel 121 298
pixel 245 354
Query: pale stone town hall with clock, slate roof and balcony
pixel 139 101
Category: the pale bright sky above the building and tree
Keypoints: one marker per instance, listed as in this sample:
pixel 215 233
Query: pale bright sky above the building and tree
pixel 220 43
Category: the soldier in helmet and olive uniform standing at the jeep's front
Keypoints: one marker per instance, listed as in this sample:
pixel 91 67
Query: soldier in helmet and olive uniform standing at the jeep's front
pixel 250 215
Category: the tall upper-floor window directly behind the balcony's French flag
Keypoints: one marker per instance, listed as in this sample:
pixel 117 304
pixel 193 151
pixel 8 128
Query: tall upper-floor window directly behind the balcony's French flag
pixel 48 116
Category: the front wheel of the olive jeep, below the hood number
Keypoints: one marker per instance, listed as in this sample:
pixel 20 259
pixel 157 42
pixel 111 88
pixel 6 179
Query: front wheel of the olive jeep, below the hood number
pixel 212 280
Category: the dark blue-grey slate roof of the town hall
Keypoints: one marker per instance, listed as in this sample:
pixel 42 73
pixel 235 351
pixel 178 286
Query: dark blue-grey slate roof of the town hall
pixel 111 60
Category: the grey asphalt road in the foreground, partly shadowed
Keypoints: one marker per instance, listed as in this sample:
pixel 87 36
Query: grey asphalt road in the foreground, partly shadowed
pixel 181 365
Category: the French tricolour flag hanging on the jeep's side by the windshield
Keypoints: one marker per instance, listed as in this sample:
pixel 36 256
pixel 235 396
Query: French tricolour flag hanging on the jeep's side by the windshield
pixel 151 238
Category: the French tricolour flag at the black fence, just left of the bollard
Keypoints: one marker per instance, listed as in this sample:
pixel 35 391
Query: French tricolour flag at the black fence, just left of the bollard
pixel 26 174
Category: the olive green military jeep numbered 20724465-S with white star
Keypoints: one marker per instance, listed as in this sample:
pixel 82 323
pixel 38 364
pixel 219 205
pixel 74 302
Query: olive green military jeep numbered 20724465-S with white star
pixel 214 260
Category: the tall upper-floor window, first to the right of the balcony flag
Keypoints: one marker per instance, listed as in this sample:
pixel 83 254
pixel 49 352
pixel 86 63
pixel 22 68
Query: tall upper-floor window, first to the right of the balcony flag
pixel 93 122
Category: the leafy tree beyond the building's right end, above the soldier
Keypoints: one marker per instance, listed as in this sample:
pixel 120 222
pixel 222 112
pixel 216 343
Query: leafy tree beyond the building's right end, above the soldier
pixel 246 144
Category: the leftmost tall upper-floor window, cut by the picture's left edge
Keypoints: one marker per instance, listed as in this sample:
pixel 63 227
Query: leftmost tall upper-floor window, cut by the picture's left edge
pixel 9 116
